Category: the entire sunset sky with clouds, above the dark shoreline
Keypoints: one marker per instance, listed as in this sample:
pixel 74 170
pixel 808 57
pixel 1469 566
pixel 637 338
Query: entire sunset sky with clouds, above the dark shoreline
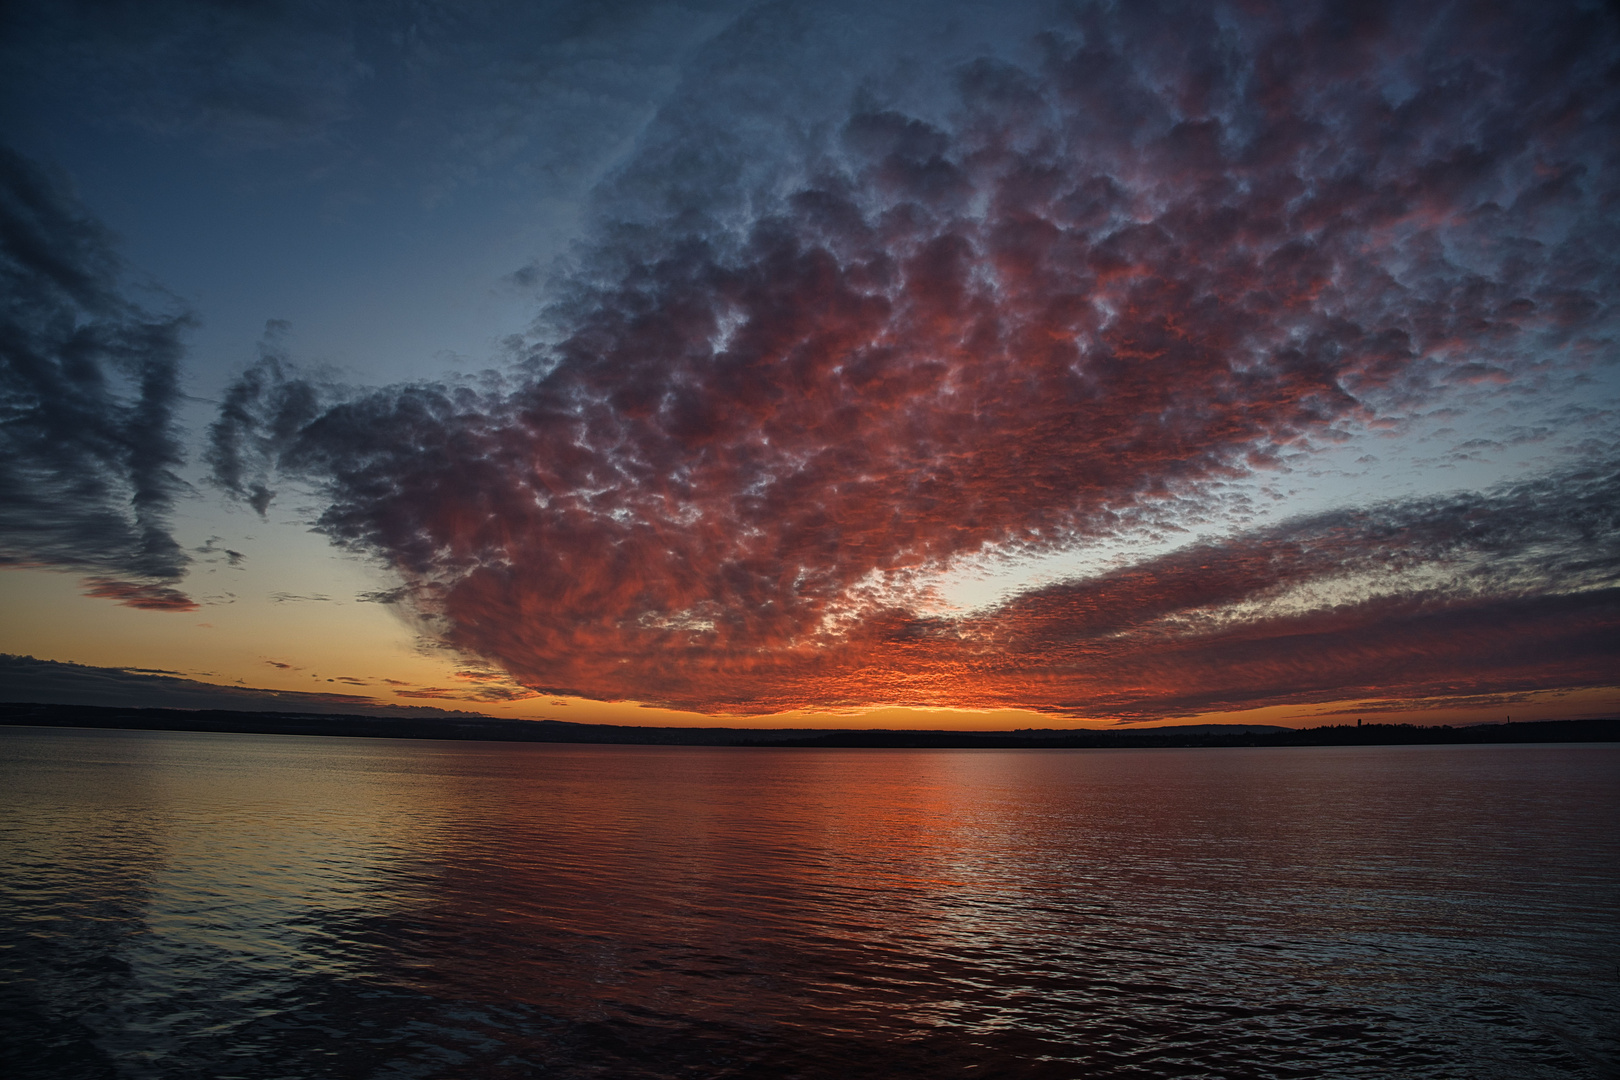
pixel 947 365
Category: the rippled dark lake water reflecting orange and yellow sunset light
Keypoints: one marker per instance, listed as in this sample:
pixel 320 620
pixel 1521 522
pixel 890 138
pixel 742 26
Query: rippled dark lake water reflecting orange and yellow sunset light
pixel 239 906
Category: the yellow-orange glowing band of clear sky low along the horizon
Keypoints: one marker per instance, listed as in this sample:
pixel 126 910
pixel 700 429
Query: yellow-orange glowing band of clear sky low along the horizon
pixel 367 655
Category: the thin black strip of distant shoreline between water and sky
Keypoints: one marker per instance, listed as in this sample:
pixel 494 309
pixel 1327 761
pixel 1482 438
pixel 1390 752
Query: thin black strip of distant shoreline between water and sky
pixel 495 729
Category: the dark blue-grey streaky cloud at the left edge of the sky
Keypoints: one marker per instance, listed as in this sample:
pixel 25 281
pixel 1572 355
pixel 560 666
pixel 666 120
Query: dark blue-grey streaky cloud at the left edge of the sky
pixel 88 389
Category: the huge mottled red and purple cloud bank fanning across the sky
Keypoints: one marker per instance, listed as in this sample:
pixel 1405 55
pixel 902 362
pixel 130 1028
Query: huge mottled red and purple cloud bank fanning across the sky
pixel 812 359
